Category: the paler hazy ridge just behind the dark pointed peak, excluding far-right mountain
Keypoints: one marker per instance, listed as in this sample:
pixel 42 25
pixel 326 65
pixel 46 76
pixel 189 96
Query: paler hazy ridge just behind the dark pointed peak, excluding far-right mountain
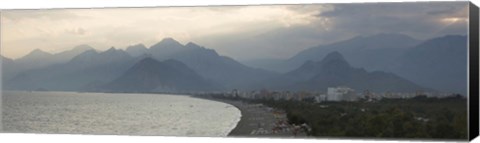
pixel 374 52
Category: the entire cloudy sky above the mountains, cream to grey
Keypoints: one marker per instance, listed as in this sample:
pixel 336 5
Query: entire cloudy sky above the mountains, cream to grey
pixel 241 32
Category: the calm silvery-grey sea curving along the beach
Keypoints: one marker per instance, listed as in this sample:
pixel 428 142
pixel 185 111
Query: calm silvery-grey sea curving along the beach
pixel 120 114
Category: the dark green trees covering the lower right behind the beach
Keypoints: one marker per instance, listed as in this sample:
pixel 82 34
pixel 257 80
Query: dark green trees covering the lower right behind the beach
pixel 420 117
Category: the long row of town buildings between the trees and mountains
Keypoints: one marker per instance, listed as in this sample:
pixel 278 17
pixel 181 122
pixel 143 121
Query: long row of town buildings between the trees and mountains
pixel 332 94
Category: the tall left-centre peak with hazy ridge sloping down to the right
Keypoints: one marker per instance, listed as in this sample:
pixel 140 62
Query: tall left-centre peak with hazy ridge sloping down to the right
pixel 209 64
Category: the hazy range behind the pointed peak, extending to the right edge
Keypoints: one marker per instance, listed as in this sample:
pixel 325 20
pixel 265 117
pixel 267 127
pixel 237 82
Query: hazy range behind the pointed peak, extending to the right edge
pixel 438 63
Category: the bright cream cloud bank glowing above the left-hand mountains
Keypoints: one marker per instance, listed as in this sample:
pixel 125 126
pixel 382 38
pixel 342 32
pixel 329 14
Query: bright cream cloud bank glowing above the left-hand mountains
pixel 120 27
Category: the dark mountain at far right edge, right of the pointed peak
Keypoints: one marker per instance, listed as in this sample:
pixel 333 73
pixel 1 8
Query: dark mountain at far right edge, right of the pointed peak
pixel 439 63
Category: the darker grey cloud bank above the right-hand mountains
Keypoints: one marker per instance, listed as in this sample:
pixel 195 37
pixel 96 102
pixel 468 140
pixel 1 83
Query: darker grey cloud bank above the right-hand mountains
pixel 336 22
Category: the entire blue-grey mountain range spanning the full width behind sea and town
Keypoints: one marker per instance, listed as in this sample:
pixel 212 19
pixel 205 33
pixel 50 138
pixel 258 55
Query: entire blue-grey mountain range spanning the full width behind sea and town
pixel 384 62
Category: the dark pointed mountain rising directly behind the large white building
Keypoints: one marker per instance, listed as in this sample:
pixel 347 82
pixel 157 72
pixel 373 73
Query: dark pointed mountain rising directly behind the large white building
pixel 334 71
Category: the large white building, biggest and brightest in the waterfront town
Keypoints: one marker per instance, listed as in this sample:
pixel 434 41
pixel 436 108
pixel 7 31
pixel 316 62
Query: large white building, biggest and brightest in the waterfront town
pixel 340 94
